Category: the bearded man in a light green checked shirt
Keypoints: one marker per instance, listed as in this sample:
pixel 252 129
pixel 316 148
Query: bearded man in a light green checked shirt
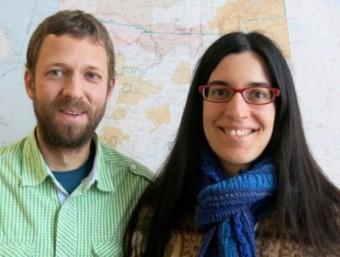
pixel 63 193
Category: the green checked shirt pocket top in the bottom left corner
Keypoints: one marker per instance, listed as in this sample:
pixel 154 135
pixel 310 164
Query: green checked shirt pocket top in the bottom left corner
pixel 16 249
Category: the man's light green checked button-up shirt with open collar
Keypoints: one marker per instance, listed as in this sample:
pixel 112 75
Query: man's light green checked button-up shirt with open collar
pixel 39 218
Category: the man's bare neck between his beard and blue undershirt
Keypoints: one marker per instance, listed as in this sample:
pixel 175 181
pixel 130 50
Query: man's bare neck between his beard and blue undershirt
pixel 63 159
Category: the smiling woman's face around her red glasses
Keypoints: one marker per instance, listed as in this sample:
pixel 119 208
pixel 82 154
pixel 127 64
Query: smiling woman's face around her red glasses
pixel 236 131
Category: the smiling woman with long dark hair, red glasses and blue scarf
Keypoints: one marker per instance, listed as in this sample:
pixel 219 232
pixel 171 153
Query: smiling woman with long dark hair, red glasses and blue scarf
pixel 240 179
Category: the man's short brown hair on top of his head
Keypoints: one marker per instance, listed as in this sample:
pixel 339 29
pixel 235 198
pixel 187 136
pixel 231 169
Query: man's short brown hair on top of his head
pixel 76 24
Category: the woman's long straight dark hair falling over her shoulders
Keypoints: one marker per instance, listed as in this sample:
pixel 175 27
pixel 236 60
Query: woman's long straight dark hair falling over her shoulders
pixel 306 200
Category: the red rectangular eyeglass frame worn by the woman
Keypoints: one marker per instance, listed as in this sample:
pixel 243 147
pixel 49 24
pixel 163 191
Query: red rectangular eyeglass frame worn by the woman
pixel 276 92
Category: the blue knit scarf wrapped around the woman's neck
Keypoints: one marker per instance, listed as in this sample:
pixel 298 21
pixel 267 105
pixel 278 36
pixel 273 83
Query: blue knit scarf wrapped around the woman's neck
pixel 228 208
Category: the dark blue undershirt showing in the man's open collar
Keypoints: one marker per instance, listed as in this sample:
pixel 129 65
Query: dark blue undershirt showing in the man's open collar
pixel 71 179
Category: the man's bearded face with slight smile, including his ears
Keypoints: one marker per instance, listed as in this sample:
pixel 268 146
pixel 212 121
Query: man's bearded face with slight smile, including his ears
pixel 69 90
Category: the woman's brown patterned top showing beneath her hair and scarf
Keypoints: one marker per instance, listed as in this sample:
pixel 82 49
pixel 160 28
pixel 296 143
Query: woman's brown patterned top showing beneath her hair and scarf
pixel 270 242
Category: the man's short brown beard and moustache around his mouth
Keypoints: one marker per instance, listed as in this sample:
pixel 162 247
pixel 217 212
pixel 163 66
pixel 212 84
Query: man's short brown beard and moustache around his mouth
pixel 66 134
